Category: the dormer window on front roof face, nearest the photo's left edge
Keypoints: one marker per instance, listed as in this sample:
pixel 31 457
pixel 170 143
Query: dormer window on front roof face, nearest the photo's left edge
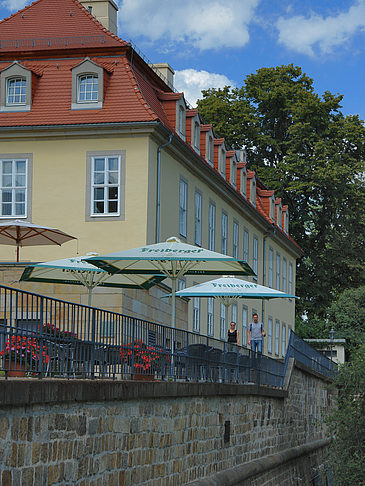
pixel 16 83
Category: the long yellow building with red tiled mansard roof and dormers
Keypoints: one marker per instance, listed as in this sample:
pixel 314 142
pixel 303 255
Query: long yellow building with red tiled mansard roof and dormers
pixel 96 142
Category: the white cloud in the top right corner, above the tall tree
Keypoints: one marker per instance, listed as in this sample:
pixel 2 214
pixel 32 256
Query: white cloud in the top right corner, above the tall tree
pixel 304 35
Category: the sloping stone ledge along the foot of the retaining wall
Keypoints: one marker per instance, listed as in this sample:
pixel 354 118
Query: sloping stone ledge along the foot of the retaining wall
pixel 236 475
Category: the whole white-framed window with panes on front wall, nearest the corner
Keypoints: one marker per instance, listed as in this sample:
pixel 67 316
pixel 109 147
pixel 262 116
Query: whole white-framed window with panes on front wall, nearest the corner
pixel 105 183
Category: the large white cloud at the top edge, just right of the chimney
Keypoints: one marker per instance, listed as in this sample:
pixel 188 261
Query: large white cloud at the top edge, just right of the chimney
pixel 201 24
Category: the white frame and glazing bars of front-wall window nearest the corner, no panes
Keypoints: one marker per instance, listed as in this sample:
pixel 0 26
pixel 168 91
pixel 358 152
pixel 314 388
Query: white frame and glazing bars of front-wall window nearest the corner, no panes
pixel 105 186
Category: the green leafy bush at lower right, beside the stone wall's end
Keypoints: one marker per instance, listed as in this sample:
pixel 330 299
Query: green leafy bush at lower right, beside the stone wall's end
pixel 347 423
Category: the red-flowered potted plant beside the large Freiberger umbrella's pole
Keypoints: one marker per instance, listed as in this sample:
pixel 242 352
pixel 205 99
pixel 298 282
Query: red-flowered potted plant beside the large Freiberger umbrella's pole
pixel 145 360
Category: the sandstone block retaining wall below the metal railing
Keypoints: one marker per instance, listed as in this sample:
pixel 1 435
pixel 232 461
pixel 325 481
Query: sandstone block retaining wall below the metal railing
pixel 59 432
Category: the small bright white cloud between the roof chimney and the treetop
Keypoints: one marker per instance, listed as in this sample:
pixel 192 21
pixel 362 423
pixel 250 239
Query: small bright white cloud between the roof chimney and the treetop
pixel 191 82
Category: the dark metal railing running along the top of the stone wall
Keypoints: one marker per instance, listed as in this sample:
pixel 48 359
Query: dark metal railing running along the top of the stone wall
pixel 46 337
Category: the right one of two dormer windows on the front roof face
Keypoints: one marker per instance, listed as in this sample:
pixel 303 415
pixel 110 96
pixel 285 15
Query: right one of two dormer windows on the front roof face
pixel 87 86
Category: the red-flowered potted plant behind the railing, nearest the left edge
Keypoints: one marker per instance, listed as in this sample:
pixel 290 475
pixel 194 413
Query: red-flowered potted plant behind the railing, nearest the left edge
pixel 21 354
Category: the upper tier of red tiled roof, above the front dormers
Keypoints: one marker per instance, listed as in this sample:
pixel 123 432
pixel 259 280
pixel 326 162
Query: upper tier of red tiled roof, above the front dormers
pixel 47 23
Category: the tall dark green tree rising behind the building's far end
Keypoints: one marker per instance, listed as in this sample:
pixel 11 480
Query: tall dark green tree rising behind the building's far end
pixel 302 146
